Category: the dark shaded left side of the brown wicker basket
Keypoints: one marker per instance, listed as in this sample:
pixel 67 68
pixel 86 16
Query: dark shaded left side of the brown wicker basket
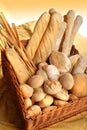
pixel 13 84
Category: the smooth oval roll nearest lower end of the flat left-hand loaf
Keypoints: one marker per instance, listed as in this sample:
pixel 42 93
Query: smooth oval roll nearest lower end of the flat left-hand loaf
pixel 36 81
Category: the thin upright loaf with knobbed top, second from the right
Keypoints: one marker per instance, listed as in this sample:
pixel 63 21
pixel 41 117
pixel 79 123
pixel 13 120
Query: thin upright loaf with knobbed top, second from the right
pixel 69 19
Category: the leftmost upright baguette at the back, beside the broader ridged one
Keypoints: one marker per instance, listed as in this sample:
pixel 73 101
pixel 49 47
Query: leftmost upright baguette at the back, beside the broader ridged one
pixel 39 30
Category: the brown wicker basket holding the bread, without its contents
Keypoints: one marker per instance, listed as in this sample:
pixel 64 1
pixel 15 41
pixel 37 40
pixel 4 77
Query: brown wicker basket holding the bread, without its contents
pixel 44 119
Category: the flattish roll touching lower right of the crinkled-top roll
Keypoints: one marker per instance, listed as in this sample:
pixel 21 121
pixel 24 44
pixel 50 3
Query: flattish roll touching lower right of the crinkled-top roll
pixel 62 94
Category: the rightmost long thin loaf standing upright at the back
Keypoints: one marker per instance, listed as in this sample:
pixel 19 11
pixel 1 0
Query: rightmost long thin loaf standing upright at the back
pixel 77 23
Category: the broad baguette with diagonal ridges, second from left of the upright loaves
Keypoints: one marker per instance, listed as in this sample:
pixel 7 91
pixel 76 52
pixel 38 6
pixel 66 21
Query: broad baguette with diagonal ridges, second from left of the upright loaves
pixel 48 41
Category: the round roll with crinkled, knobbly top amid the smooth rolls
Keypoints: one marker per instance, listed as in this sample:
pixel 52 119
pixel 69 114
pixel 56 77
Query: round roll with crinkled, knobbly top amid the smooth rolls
pixel 52 87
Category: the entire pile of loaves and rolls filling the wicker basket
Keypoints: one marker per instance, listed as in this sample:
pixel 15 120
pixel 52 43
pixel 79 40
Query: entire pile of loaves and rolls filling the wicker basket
pixel 55 77
